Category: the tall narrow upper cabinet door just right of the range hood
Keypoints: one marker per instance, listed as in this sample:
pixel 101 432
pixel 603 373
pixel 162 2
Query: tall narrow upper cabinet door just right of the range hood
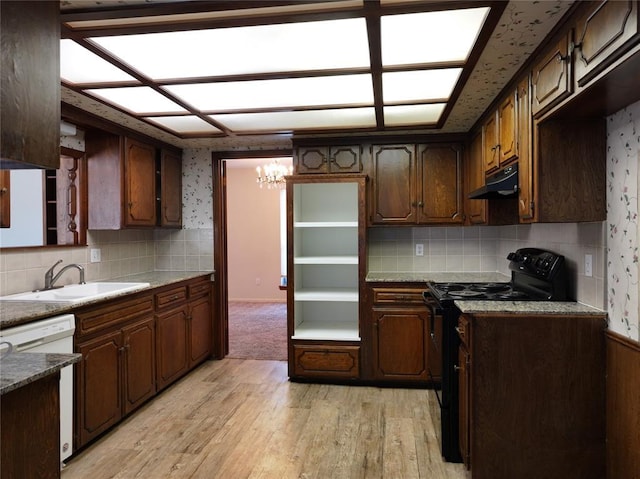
pixel 525 166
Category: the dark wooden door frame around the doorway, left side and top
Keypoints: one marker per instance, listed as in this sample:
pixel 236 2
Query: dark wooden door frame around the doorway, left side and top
pixel 221 275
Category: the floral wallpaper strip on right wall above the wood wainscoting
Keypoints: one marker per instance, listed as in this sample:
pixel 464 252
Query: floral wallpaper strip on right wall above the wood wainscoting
pixel 623 153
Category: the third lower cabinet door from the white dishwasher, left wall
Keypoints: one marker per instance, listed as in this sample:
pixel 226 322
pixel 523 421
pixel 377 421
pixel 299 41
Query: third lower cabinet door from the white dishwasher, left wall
pixel 171 346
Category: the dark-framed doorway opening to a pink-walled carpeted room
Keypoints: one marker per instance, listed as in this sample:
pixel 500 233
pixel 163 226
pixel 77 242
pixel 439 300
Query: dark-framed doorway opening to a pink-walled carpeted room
pixel 251 307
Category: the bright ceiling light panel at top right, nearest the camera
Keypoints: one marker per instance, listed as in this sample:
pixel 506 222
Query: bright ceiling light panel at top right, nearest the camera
pixel 430 37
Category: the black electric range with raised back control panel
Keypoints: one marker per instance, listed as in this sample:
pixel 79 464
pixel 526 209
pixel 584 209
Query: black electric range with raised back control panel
pixel 536 275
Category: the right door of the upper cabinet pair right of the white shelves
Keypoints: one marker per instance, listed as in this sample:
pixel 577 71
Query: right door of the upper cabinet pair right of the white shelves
pixel 441 179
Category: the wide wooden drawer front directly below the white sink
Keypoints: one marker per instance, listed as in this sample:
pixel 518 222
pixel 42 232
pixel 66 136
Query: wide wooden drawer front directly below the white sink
pixel 113 314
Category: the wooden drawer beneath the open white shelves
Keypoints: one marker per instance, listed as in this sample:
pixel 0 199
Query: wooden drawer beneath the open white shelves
pixel 326 361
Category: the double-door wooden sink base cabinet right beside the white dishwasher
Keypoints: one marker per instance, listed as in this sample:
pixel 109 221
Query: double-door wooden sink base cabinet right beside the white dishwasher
pixel 117 371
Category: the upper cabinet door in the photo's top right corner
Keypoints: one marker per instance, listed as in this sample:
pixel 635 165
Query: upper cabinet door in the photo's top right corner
pixel 604 32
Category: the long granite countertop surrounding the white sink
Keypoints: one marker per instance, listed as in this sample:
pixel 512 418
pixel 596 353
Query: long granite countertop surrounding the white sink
pixel 14 313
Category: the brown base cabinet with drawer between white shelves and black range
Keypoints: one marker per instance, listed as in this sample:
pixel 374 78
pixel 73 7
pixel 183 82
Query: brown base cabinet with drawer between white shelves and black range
pixel 400 325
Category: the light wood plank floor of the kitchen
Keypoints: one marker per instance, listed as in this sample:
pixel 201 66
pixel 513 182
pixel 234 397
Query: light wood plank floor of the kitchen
pixel 237 419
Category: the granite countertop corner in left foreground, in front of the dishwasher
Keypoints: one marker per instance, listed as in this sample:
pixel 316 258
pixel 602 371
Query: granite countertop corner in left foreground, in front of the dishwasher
pixel 20 369
